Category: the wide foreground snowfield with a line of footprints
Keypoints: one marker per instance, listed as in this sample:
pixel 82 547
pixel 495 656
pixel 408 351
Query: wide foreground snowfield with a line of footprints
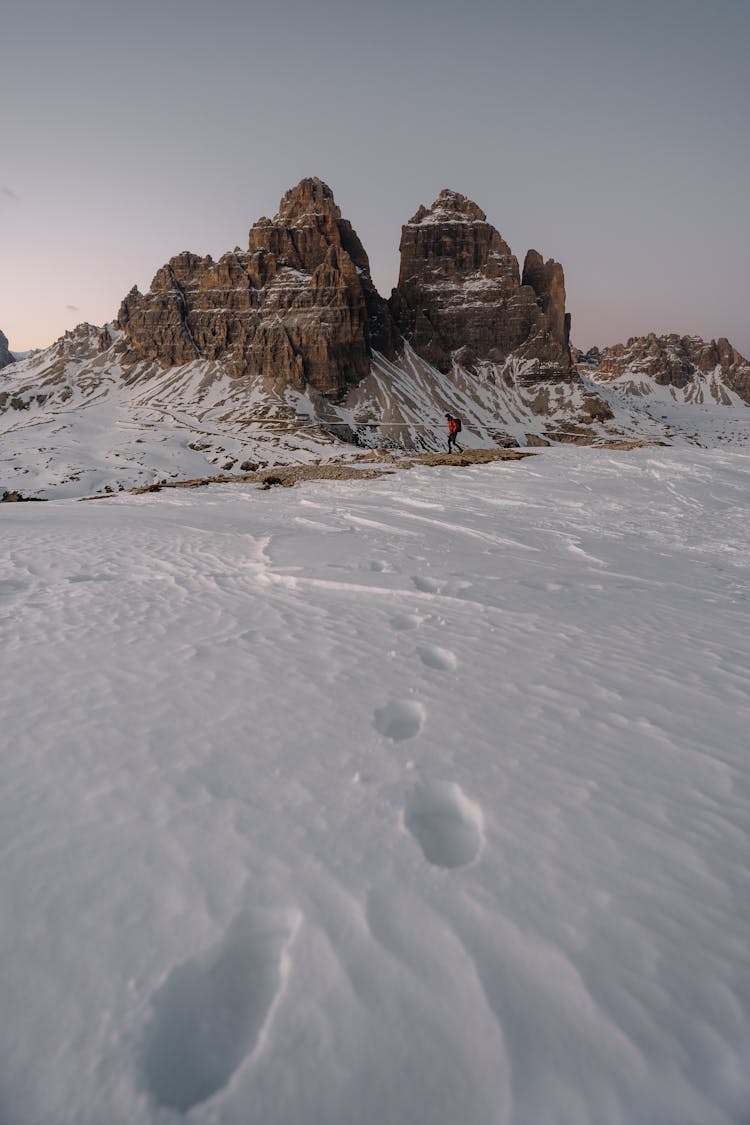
pixel 424 799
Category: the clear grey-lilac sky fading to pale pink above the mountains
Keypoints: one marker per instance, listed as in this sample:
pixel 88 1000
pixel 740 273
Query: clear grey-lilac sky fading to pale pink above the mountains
pixel 613 137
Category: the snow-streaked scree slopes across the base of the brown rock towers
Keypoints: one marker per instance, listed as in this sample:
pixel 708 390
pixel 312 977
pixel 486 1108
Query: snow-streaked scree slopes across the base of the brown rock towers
pixel 77 420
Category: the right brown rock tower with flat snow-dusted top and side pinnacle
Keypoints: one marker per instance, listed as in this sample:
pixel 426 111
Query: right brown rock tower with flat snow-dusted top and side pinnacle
pixel 460 294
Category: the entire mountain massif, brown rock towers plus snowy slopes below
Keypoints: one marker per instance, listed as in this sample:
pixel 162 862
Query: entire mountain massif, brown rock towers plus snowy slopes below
pixel 286 352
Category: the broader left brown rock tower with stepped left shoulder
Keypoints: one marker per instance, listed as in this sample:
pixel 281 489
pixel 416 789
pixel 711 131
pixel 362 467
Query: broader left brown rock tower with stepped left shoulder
pixel 299 308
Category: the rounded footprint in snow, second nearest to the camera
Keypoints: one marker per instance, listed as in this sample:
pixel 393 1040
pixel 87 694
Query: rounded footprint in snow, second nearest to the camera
pixel 447 825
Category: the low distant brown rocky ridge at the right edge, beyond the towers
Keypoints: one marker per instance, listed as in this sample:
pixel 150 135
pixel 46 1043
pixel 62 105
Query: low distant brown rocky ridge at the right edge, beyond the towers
pixel 689 364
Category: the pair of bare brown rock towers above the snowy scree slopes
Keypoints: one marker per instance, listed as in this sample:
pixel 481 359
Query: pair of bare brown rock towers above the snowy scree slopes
pixel 299 308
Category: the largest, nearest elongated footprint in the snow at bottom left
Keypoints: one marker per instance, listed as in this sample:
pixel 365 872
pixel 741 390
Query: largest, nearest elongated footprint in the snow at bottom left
pixel 211 1013
